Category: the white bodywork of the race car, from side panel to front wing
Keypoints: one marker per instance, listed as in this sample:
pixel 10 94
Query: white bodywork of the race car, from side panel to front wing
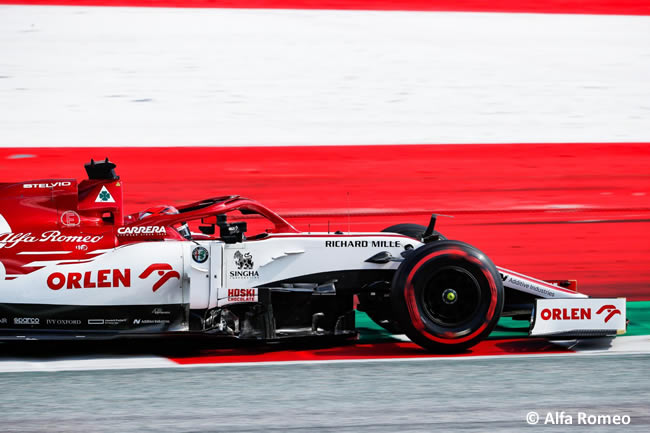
pixel 157 275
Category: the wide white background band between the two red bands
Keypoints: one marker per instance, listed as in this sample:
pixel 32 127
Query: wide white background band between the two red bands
pixel 165 77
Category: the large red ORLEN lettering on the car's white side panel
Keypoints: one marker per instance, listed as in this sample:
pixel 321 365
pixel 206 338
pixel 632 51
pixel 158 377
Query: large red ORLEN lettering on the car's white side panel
pixel 103 278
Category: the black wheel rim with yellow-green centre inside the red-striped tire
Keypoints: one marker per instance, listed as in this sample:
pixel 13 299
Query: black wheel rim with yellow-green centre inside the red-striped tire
pixel 452 296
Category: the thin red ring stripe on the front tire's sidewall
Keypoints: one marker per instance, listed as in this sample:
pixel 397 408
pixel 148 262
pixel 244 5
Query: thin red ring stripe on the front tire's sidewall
pixel 414 312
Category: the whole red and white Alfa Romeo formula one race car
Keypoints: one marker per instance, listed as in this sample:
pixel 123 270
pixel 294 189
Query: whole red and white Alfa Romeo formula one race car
pixel 72 265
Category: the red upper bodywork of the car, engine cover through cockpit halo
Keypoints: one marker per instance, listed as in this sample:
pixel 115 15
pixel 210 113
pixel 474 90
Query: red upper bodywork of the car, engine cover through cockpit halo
pixel 60 218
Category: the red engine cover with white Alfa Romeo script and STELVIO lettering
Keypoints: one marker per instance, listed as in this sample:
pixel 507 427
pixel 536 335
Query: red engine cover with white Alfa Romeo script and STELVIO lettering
pixel 57 219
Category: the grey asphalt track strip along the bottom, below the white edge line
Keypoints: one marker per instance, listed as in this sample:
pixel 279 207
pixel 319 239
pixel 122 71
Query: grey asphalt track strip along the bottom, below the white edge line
pixel 416 396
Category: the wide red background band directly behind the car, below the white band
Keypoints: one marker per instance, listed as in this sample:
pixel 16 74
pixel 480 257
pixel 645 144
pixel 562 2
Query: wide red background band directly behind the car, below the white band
pixel 551 210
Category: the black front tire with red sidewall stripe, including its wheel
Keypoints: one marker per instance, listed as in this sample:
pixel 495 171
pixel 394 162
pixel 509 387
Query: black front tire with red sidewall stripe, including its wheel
pixel 447 296
